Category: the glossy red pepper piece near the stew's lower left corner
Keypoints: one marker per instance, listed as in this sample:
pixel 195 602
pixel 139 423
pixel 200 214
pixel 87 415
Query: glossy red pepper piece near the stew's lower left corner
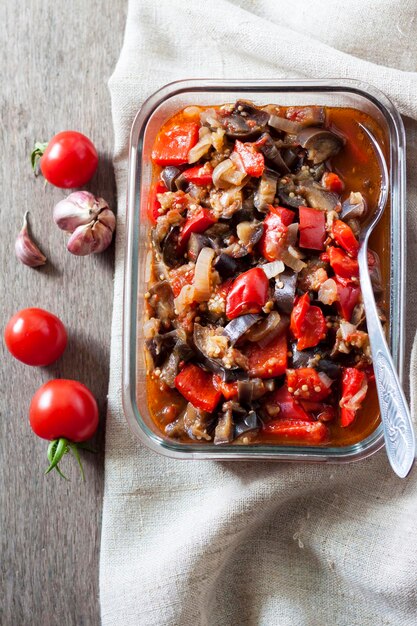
pixel 197 387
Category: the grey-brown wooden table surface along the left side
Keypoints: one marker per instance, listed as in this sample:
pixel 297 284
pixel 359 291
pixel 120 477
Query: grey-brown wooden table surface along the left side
pixel 56 58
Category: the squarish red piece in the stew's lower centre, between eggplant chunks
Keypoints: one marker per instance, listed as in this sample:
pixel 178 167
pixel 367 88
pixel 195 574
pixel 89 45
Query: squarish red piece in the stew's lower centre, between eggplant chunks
pixel 269 361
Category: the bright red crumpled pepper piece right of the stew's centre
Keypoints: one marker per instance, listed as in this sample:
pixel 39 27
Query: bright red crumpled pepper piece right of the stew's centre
pixel 307 323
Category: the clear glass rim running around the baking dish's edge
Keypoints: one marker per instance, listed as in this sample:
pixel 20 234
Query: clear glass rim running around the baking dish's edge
pixel 173 449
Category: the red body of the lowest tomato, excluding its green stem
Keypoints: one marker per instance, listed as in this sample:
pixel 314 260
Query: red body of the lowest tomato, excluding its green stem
pixel 64 409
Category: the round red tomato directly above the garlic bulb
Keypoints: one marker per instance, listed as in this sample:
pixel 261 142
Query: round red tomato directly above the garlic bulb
pixel 70 160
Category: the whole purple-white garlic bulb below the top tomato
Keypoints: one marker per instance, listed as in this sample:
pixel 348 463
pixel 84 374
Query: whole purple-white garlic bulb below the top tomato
pixel 89 220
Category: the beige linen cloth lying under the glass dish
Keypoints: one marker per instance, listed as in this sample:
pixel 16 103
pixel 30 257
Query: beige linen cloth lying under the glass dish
pixel 187 543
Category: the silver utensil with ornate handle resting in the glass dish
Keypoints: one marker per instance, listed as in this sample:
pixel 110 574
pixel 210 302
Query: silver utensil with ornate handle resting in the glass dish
pixel 395 414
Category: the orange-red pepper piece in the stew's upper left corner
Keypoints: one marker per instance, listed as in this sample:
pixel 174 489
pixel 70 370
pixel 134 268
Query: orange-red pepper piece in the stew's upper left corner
pixel 173 144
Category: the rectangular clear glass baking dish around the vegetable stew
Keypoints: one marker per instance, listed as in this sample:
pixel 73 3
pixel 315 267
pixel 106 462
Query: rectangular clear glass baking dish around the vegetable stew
pixel 154 112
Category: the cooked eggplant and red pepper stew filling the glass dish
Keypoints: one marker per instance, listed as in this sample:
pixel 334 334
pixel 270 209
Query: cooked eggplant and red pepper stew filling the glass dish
pixel 255 329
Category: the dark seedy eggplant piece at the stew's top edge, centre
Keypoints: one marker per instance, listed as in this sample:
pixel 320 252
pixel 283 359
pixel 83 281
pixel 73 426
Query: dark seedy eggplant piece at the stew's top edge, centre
pixel 236 125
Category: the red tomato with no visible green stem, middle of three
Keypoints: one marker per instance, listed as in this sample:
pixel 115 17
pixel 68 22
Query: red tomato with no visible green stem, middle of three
pixel 35 337
